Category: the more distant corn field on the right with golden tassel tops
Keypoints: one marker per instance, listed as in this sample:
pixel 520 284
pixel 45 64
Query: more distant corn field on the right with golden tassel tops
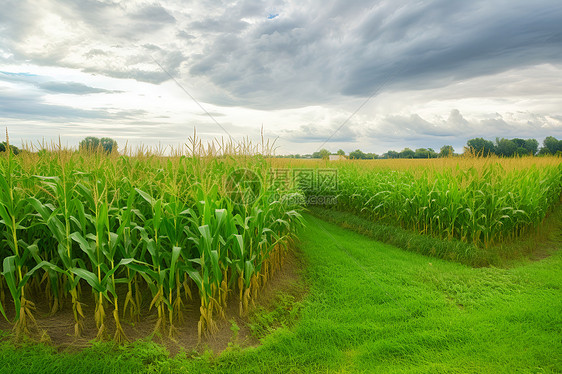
pixel 480 201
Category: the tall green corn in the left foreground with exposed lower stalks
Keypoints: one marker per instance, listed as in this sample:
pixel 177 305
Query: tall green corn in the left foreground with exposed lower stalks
pixel 123 227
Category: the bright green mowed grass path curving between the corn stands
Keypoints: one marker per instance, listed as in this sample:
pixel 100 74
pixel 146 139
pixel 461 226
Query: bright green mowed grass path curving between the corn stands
pixel 373 308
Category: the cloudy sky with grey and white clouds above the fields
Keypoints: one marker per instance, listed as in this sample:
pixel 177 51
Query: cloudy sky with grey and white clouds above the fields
pixel 374 75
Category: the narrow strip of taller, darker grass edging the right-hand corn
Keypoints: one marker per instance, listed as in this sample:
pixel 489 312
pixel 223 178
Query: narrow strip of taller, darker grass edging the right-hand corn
pixel 453 250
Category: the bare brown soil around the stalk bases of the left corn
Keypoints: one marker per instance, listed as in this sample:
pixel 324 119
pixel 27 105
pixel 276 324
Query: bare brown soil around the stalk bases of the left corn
pixel 58 329
